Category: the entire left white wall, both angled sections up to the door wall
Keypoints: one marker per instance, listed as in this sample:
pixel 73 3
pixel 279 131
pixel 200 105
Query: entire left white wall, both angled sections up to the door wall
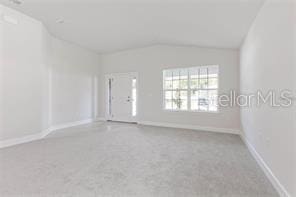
pixel 43 81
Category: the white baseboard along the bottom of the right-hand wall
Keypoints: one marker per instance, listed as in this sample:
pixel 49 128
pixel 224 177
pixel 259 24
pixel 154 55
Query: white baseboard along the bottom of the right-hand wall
pixel 268 172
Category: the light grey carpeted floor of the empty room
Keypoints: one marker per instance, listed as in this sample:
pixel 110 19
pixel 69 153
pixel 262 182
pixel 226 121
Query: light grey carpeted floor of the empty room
pixel 115 159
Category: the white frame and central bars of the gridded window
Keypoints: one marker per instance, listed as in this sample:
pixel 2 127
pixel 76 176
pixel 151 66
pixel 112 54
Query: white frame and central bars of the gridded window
pixel 189 90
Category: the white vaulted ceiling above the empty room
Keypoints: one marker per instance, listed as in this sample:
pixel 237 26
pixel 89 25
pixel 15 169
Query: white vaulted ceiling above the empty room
pixel 112 25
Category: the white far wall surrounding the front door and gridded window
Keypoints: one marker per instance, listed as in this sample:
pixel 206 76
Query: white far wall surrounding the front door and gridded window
pixel 149 63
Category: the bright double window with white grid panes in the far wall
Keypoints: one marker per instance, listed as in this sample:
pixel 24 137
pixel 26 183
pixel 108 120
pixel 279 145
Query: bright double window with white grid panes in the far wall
pixel 191 89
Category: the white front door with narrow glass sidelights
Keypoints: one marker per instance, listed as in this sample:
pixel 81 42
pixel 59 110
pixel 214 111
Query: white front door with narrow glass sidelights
pixel 122 97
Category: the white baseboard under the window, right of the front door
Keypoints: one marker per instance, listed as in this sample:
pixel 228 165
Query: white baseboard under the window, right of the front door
pixel 192 127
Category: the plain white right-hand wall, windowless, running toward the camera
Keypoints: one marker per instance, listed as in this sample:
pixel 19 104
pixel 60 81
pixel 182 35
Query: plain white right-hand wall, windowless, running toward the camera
pixel 267 64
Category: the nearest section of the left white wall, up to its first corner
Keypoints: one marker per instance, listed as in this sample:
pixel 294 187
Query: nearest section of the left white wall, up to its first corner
pixel 23 88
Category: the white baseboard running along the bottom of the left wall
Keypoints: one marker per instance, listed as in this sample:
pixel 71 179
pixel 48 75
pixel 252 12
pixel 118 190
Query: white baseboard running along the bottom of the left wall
pixel 42 134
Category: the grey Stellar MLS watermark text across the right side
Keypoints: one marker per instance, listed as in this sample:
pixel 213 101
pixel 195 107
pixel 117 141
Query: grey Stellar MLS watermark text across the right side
pixel 272 98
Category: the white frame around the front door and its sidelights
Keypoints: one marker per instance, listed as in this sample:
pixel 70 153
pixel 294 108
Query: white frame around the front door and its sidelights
pixel 106 86
